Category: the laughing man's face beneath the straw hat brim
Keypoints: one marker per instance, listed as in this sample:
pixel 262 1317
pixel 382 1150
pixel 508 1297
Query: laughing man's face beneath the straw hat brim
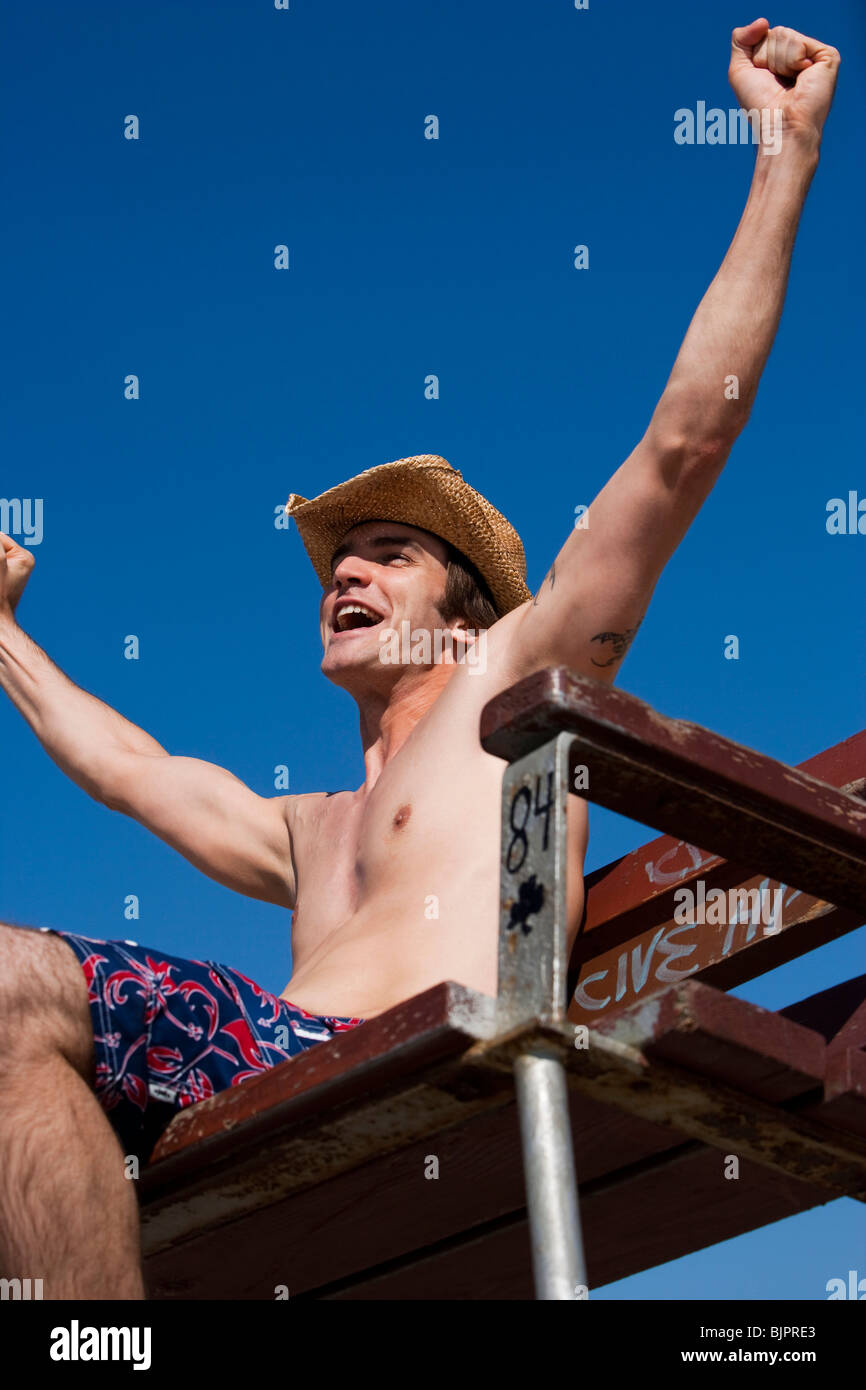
pixel 393 573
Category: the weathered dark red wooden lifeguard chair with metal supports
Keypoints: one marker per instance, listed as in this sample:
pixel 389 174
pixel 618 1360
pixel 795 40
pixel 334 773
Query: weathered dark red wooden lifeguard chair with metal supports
pixel 462 1146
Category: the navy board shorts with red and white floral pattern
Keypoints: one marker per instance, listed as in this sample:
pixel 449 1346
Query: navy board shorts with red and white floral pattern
pixel 170 1032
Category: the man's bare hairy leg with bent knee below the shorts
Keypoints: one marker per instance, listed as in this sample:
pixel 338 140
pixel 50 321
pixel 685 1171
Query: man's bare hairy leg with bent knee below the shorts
pixel 67 1213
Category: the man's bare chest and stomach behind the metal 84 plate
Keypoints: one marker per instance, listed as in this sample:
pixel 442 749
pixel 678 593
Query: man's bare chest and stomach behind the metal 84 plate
pixel 398 888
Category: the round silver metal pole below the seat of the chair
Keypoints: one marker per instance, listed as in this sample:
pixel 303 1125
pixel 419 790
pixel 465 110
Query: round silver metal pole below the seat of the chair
pixel 548 1161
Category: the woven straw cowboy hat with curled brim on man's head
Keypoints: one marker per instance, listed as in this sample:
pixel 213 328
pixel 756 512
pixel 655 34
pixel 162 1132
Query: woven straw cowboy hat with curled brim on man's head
pixel 427 493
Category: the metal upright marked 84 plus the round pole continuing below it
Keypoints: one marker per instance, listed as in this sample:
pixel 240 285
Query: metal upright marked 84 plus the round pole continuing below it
pixel 533 972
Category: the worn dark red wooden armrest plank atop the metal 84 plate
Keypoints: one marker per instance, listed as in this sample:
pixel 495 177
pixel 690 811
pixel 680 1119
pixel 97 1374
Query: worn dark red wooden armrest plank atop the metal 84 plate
pixel 693 783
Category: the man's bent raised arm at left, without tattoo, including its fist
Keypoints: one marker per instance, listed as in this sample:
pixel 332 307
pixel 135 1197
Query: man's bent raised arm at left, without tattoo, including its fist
pixel 213 819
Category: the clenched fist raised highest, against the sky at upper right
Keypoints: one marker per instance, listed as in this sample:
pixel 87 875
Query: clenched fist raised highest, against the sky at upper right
pixel 785 72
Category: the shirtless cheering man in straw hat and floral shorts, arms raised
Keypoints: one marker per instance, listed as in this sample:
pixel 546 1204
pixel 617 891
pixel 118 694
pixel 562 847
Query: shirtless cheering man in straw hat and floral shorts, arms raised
pixel 358 868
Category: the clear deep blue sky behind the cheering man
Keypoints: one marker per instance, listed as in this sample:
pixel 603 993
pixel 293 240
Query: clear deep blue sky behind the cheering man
pixel 408 258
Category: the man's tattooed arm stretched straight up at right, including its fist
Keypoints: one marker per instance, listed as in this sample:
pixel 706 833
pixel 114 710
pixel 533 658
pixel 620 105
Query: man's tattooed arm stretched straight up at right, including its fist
pixel 593 601
